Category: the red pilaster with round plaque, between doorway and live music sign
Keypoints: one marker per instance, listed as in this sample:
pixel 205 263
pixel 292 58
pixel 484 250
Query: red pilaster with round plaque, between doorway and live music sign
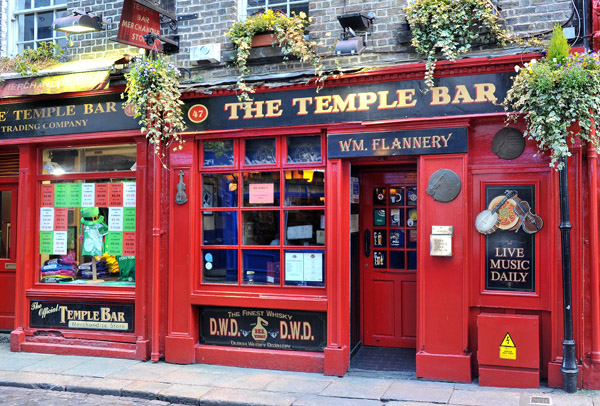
pixel 443 348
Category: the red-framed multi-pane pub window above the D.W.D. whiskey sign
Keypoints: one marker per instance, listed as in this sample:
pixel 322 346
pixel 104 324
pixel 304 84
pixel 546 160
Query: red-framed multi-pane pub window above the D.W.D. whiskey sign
pixel 263 212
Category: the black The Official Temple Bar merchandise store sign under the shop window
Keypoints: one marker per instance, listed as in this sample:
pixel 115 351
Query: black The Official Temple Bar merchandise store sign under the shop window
pixel 89 316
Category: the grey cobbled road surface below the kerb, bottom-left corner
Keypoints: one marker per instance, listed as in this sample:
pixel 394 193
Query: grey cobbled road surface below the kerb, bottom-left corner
pixel 39 397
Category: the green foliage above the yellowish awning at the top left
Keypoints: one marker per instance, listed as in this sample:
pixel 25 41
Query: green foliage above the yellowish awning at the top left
pixel 30 60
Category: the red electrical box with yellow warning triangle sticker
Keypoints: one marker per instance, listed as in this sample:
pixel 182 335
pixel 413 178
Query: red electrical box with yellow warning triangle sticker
pixel 508 350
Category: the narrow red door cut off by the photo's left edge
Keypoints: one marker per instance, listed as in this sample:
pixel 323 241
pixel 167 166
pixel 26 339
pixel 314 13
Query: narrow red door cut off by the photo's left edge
pixel 8 254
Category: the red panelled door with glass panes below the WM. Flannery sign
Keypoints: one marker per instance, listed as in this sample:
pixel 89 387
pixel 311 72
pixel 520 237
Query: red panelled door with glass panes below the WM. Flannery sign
pixel 389 221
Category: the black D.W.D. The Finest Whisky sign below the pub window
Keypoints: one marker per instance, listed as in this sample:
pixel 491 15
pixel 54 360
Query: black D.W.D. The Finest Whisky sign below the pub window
pixel 262 328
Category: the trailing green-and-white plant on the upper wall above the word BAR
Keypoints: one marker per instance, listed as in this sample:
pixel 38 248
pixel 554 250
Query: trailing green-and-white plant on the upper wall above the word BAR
pixel 452 26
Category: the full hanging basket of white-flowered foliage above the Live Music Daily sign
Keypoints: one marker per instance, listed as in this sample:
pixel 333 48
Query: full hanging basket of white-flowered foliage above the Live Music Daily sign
pixel 558 96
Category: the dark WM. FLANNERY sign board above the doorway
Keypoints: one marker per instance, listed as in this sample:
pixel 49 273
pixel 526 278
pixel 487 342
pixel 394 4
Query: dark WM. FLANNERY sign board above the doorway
pixel 389 143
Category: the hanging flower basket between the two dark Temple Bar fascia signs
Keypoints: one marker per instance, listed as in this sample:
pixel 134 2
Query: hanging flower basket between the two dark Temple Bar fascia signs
pixel 153 91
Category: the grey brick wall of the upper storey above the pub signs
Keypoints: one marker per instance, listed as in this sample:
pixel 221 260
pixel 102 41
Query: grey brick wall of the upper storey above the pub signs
pixel 521 16
